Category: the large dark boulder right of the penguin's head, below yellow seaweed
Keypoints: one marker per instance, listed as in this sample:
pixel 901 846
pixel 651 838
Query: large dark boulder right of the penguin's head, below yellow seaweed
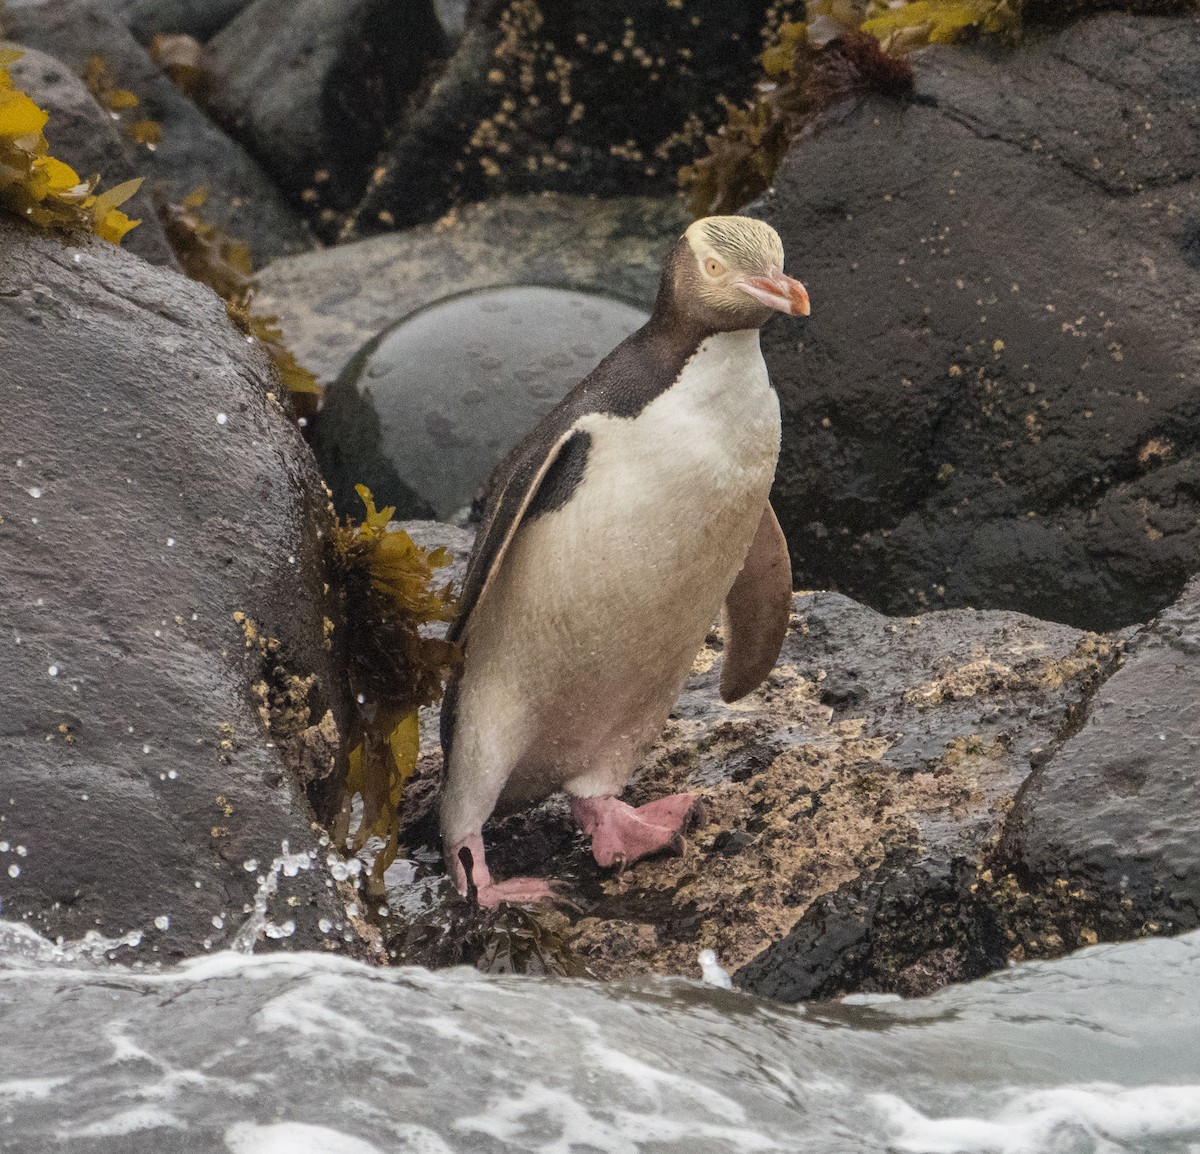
pixel 995 400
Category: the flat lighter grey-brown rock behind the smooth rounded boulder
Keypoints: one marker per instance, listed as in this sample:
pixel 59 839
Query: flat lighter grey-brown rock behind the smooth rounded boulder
pixel 332 303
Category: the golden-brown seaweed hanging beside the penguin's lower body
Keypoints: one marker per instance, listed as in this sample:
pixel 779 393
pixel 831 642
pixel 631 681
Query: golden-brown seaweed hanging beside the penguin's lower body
pixel 387 586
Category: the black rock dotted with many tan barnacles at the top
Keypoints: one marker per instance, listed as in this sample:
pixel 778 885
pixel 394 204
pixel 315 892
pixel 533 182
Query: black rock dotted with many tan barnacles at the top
pixel 575 97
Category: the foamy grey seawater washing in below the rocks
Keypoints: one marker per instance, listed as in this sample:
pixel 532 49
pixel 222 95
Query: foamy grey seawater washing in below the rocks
pixel 315 1055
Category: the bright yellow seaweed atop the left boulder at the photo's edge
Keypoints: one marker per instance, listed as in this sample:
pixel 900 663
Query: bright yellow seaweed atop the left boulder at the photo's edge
pixel 43 190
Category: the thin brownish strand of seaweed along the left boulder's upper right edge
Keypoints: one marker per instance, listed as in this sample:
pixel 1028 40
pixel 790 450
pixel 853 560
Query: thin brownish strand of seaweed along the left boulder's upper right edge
pixel 214 259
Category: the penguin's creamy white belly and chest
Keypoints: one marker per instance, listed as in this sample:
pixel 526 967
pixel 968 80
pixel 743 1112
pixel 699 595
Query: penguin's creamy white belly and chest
pixel 601 606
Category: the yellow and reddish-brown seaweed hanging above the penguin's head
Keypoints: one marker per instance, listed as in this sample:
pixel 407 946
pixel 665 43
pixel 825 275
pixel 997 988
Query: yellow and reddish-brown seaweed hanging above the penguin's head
pixel 848 49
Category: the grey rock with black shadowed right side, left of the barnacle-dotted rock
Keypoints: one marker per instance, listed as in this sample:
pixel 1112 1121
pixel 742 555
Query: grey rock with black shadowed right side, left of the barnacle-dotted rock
pixel 313 86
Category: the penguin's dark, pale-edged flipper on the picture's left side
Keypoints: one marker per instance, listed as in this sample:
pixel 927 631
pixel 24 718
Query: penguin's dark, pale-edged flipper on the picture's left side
pixel 518 494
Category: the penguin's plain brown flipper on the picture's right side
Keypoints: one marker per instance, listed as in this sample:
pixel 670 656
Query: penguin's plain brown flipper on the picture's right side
pixel 758 611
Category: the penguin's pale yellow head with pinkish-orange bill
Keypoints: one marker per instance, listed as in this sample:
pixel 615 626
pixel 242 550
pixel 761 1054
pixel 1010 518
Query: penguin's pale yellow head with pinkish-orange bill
pixel 728 273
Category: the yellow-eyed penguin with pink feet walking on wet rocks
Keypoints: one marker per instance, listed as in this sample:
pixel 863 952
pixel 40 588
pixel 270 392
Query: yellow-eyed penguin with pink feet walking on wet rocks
pixel 613 534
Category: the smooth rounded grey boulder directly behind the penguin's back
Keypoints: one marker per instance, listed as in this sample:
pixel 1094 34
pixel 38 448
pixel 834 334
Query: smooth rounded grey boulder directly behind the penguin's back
pixel 437 401
